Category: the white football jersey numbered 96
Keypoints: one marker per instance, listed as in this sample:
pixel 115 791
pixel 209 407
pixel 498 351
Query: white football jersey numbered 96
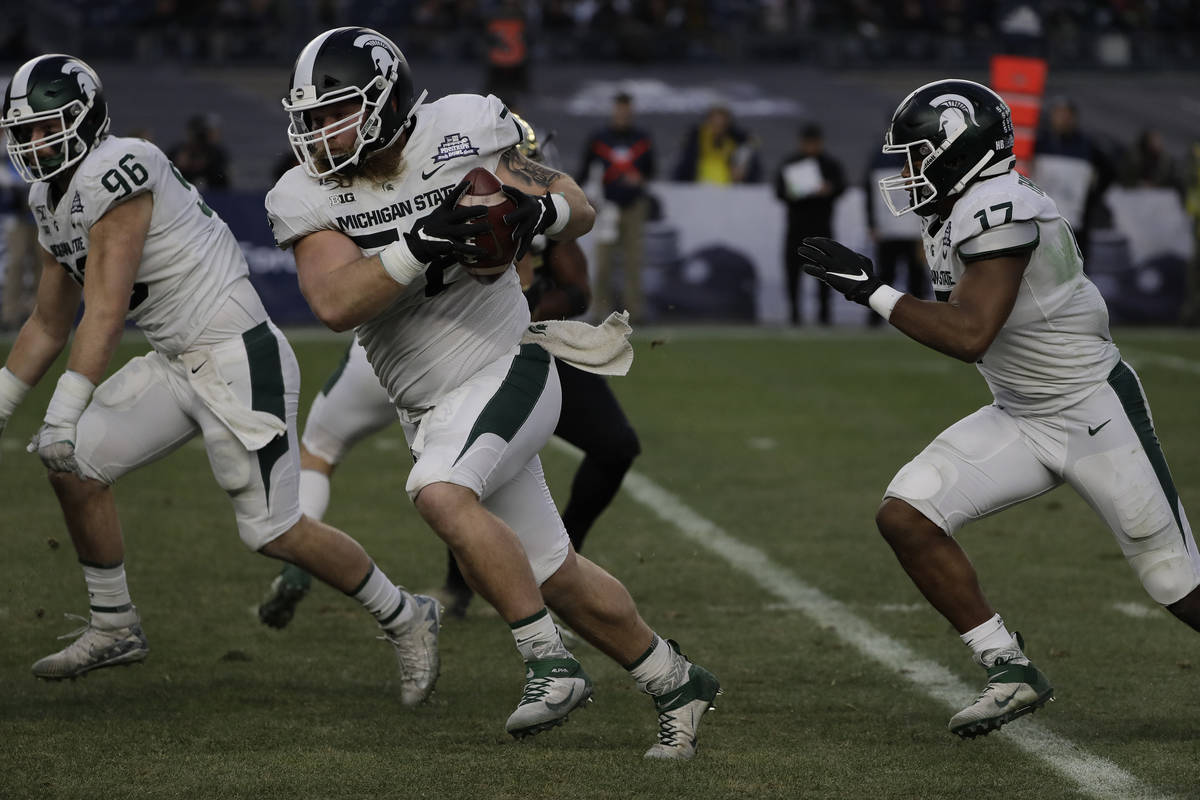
pixel 190 261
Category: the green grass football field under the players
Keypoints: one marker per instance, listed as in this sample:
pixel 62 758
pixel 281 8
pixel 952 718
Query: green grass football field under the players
pixel 785 443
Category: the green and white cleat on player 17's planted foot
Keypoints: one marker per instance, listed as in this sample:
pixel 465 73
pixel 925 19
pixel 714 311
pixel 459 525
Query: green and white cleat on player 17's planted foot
pixel 1016 688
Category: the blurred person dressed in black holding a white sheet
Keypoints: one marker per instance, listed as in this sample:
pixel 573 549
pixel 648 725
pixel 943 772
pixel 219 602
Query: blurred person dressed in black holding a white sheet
pixel 808 182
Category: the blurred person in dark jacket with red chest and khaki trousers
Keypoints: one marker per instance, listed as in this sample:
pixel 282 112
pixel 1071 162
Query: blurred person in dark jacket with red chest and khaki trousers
pixel 626 155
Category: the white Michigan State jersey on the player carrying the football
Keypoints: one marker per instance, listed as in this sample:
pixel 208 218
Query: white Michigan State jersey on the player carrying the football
pixel 431 339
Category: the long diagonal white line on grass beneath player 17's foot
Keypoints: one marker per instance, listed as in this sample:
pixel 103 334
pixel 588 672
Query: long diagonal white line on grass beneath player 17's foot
pixel 1094 775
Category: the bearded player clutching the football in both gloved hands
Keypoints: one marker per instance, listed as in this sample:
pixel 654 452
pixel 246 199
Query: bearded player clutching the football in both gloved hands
pixel 373 219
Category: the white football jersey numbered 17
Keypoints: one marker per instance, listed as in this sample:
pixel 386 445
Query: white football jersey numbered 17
pixel 1055 347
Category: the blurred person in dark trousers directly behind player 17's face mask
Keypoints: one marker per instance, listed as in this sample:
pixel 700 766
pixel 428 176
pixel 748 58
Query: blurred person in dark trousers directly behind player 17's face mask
pixel 896 238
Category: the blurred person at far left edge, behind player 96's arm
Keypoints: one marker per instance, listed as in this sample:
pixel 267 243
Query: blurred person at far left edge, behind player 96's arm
pixel 22 254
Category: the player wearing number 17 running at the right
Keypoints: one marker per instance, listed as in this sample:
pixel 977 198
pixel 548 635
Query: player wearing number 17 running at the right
pixel 1012 297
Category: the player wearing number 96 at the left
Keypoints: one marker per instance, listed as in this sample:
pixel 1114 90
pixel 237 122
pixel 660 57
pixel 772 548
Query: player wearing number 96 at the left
pixel 124 231
